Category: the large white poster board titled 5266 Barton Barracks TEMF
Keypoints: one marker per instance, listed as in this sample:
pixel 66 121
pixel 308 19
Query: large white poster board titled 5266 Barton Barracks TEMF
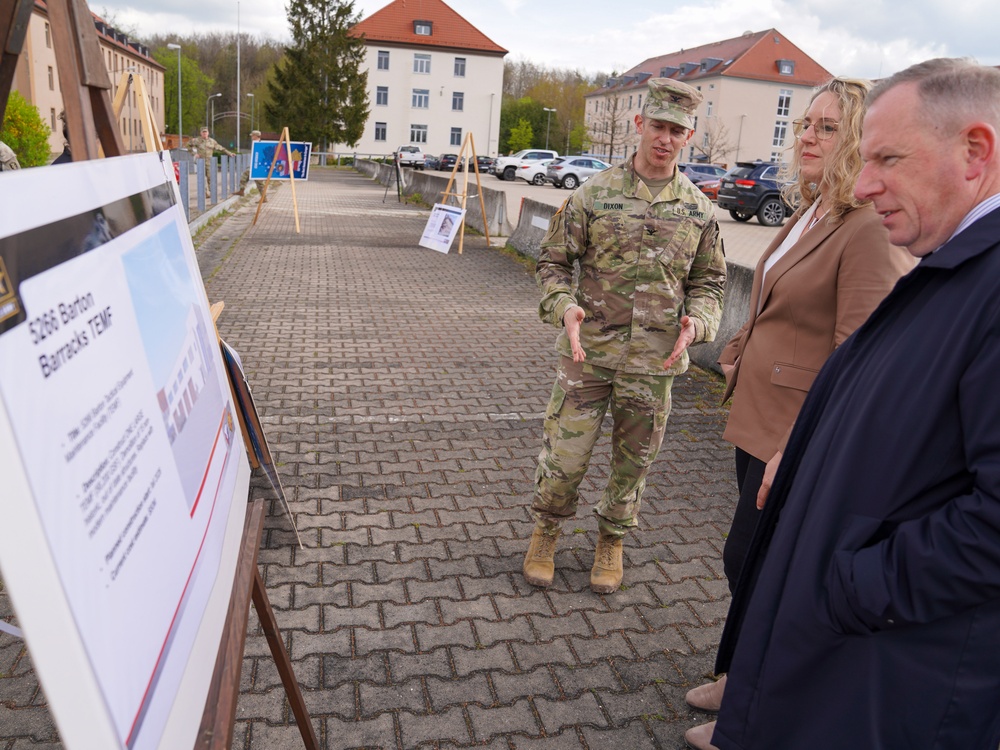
pixel 125 476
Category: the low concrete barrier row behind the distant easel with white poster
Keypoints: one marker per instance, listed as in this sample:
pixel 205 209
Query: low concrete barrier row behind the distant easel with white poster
pixel 431 187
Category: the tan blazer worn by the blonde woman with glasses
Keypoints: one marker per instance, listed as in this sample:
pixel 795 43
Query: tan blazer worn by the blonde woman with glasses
pixel 814 297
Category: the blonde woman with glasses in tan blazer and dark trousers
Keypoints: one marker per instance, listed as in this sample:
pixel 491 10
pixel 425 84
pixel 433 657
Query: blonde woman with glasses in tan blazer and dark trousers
pixel 817 281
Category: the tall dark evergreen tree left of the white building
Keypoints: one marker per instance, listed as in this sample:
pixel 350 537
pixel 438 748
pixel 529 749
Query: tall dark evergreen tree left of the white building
pixel 319 90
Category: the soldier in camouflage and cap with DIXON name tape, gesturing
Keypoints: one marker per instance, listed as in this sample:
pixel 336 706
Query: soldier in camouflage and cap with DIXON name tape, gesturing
pixel 651 279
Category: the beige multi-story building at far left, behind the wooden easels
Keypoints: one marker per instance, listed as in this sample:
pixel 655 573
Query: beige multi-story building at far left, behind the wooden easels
pixel 36 77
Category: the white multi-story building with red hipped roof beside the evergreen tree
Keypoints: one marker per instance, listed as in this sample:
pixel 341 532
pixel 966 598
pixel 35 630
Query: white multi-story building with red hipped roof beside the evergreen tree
pixel 432 79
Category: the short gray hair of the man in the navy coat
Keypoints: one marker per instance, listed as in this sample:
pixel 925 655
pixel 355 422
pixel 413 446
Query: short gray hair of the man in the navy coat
pixel 952 90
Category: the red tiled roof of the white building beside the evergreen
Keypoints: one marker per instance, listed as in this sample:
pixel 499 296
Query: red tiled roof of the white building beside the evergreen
pixel 394 24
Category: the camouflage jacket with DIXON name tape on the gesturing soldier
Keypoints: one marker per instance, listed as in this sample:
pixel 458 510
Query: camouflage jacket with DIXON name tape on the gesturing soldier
pixel 644 261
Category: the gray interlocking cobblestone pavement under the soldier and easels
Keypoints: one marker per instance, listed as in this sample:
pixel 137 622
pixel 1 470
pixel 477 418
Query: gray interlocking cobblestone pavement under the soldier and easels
pixel 402 392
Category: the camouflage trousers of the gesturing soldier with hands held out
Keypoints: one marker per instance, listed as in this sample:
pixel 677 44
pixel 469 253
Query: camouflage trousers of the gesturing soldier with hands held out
pixel 581 396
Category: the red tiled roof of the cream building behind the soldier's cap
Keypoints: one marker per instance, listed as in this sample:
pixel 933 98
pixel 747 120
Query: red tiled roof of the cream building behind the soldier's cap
pixel 752 55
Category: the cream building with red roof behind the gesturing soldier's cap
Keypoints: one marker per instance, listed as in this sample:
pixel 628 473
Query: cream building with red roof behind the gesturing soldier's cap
pixel 753 86
